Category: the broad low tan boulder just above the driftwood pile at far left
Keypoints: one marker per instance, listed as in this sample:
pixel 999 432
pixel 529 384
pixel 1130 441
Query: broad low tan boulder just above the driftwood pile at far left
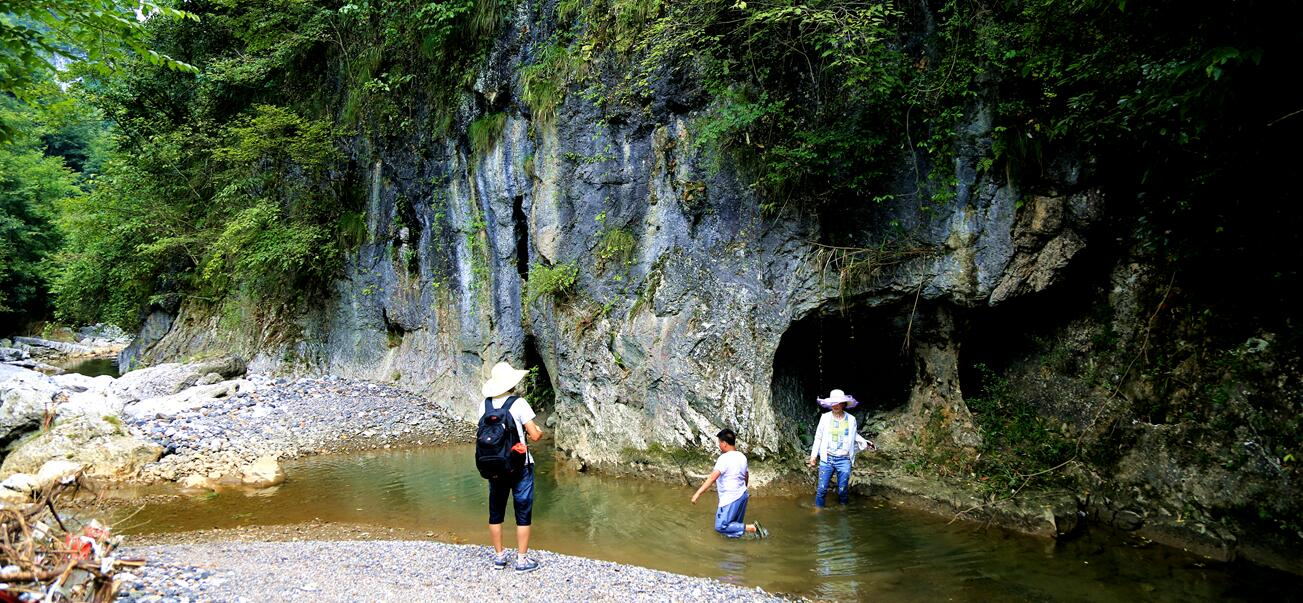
pixel 102 446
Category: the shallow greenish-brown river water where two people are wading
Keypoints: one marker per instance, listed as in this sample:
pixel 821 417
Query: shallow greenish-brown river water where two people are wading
pixel 862 552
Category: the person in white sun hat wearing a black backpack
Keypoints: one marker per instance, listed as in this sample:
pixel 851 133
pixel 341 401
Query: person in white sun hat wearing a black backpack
pixel 504 459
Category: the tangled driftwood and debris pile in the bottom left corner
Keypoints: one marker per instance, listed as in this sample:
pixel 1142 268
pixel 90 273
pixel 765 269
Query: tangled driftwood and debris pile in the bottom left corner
pixel 46 557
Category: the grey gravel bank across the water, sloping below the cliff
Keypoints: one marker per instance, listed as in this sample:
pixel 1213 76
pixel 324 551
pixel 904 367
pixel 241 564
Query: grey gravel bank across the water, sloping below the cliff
pixel 293 417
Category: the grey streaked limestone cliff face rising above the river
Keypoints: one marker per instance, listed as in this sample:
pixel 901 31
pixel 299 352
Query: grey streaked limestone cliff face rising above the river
pixel 686 288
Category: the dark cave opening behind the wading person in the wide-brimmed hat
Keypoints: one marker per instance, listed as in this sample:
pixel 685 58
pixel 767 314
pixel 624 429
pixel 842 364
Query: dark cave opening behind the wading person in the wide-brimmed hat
pixel 859 351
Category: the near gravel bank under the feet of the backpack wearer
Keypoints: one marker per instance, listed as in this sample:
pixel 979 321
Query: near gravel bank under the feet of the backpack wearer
pixel 398 571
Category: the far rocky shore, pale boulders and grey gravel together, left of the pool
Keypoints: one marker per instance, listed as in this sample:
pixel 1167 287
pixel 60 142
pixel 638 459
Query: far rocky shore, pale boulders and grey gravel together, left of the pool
pixel 204 425
